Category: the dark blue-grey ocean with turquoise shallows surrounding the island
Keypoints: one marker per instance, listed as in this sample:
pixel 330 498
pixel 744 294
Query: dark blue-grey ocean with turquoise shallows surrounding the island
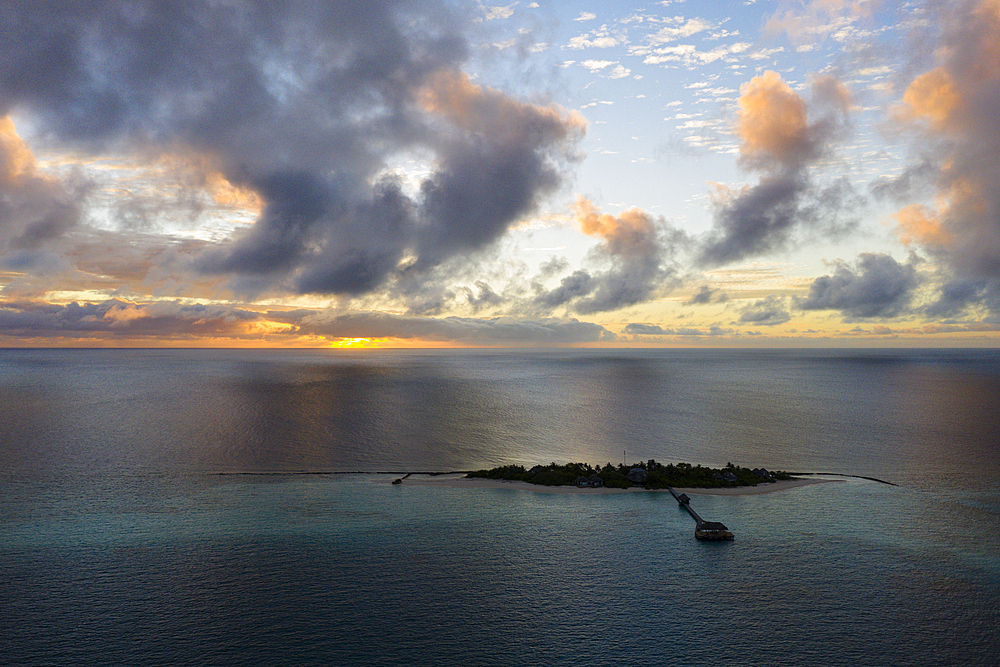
pixel 206 507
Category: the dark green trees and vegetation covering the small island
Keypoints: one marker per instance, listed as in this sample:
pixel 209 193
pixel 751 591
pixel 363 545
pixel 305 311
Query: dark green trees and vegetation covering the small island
pixel 650 475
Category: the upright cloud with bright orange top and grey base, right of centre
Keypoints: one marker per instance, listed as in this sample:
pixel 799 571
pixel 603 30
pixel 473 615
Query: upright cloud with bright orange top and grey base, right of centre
pixel 778 138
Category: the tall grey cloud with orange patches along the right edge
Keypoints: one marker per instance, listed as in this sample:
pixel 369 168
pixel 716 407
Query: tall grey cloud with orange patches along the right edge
pixel 951 111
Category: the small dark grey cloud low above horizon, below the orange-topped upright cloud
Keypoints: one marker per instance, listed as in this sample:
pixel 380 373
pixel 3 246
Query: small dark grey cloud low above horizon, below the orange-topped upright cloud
pixel 877 286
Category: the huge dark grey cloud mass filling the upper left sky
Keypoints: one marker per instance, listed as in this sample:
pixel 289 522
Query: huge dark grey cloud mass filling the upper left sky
pixel 303 103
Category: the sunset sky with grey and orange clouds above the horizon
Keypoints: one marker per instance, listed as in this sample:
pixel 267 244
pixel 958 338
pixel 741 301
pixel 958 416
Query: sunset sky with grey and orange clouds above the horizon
pixel 377 173
